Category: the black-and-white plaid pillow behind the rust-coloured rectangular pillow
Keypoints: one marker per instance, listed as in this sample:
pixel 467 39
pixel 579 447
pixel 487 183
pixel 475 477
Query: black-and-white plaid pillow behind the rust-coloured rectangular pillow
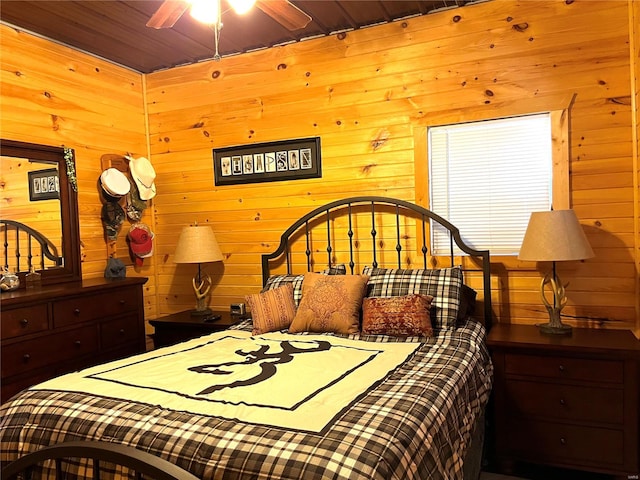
pixel 442 284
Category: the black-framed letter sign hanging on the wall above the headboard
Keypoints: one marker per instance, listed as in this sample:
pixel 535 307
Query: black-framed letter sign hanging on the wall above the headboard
pixel 268 162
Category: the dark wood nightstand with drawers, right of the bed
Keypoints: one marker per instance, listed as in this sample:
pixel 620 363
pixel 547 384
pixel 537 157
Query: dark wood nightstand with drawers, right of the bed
pixel 566 401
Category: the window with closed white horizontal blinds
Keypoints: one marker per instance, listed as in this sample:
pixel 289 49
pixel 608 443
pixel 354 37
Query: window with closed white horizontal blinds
pixel 487 177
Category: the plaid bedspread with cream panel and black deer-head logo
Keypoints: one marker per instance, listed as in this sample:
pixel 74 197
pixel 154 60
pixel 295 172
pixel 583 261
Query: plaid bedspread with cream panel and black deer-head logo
pixel 408 417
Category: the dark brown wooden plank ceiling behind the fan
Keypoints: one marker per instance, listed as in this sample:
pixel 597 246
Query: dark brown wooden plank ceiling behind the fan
pixel 116 31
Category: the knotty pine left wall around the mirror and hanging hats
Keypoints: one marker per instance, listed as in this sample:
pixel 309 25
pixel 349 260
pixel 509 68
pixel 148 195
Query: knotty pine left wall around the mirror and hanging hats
pixel 54 95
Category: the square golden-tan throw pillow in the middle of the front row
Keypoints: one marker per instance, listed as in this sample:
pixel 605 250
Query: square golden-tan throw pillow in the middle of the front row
pixel 330 303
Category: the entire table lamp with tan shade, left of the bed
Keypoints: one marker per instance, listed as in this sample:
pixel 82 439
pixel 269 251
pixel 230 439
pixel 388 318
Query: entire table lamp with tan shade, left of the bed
pixel 197 244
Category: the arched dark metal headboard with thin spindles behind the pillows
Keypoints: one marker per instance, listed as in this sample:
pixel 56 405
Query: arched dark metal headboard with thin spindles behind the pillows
pixel 401 208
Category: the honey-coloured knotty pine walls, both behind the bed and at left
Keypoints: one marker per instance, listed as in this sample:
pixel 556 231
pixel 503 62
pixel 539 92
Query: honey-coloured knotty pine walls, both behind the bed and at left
pixel 369 95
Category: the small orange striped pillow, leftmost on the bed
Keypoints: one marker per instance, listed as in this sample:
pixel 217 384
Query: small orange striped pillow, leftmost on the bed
pixel 272 310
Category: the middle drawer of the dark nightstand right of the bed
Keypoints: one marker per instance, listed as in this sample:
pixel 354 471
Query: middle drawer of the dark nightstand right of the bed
pixel 565 402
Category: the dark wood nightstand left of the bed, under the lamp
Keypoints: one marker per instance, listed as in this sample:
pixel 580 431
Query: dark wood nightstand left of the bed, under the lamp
pixel 181 326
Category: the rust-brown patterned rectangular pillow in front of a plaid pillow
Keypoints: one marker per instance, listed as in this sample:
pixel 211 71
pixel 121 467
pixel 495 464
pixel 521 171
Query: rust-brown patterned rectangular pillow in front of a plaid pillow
pixel 398 316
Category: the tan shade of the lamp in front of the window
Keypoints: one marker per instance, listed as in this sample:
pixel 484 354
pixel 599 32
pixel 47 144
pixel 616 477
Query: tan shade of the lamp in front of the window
pixel 554 236
